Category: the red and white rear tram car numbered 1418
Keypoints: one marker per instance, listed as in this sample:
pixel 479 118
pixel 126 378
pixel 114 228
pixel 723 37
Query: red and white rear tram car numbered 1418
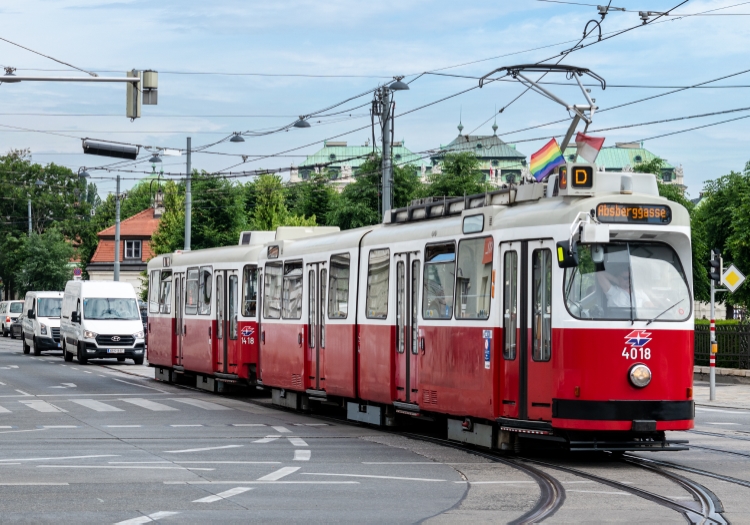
pixel 203 310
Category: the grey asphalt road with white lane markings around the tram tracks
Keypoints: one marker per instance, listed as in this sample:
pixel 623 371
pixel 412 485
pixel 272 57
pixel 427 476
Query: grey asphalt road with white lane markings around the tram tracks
pixel 96 444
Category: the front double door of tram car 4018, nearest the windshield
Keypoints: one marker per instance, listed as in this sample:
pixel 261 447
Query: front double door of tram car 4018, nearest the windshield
pixel 527 329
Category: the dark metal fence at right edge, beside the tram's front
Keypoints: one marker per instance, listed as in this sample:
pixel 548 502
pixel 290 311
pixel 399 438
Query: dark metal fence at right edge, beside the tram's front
pixel 734 346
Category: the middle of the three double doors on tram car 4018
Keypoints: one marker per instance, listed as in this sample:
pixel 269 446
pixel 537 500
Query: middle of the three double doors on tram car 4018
pixel 408 270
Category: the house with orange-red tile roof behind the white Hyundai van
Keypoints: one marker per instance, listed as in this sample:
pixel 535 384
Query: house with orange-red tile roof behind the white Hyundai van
pixel 135 249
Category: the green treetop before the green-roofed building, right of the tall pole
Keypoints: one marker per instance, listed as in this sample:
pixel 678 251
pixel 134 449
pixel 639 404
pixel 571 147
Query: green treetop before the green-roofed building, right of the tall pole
pixel 460 176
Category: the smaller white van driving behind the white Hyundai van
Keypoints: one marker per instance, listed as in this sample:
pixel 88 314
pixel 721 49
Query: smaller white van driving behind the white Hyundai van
pixel 41 322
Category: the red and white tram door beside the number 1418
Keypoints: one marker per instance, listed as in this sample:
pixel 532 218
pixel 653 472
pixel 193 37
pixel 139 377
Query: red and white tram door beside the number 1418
pixel 226 321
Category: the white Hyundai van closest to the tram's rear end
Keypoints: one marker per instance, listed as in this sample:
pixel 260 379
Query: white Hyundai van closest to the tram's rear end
pixel 101 319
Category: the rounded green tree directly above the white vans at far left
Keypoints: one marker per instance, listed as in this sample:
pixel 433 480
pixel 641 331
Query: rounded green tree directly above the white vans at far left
pixel 46 262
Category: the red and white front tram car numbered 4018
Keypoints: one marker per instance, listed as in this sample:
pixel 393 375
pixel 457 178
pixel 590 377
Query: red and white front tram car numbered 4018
pixel 507 313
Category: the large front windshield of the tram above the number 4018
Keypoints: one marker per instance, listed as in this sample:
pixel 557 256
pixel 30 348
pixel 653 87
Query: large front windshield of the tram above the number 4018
pixel 633 281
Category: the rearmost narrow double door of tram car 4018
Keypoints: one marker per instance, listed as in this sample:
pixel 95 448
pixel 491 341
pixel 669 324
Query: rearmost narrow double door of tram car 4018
pixel 317 281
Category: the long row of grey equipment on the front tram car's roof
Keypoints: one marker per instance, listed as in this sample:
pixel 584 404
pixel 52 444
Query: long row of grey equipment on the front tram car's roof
pixel 437 207
